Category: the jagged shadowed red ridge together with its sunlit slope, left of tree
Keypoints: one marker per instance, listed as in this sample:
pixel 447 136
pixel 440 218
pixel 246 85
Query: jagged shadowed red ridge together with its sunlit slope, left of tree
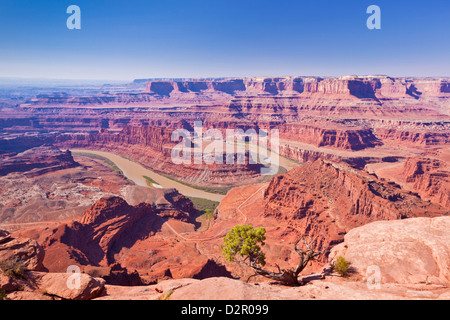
pixel 139 237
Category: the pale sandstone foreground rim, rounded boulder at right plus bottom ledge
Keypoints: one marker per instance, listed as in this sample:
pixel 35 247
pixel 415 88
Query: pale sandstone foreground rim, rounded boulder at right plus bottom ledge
pixel 411 254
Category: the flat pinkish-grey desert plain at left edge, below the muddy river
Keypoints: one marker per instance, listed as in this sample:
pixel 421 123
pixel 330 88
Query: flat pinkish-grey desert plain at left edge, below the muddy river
pixel 56 196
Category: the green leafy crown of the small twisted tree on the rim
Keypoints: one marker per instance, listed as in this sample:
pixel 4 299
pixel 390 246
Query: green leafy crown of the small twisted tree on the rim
pixel 245 241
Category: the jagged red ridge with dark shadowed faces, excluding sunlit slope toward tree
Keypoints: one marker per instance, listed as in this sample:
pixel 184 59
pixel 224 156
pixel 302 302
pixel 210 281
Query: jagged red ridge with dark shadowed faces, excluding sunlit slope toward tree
pixel 91 241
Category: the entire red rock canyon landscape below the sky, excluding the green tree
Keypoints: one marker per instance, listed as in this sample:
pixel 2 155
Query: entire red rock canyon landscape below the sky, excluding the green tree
pixel 87 179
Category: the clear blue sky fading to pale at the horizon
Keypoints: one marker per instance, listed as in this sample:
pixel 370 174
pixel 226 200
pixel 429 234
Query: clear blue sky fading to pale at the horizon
pixel 124 40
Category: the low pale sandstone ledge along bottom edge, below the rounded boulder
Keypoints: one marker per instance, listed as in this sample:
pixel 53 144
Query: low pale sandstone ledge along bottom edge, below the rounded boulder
pixel 226 289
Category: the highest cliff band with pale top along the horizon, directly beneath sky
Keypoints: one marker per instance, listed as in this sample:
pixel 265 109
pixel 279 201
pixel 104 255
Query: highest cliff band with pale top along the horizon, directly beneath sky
pixel 368 87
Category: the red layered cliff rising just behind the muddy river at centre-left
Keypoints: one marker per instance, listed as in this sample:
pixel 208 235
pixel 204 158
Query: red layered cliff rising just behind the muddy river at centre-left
pixel 152 147
